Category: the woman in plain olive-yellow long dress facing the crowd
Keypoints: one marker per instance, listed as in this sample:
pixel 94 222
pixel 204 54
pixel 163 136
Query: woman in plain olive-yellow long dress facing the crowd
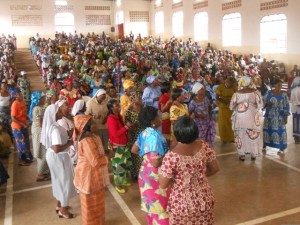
pixel 224 93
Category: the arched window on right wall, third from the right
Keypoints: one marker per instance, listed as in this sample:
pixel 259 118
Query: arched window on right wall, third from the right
pixel 201 26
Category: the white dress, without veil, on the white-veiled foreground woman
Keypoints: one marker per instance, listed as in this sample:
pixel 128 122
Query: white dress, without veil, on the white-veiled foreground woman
pixel 61 167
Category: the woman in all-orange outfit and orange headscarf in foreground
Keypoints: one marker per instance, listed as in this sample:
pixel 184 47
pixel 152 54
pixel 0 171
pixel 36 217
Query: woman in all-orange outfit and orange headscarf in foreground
pixel 91 172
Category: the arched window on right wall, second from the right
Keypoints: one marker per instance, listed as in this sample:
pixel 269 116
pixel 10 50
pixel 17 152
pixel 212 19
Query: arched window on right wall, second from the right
pixel 231 29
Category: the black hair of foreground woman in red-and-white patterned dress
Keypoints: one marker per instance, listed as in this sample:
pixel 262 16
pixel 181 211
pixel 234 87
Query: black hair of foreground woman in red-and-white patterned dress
pixel 185 130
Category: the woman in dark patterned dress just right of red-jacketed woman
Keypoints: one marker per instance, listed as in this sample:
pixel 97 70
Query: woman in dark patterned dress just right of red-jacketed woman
pixel 132 116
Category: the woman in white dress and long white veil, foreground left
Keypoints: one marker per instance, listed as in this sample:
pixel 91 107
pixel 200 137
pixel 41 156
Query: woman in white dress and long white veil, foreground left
pixel 57 142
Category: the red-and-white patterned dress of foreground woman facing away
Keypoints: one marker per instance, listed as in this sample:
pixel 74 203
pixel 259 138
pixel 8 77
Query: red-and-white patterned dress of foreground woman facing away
pixel 191 200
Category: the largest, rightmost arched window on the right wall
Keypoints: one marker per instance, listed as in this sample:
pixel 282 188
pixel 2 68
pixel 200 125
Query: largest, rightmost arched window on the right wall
pixel 273 32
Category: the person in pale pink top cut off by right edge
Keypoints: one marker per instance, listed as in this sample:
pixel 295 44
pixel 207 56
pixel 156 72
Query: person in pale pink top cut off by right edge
pixel 295 107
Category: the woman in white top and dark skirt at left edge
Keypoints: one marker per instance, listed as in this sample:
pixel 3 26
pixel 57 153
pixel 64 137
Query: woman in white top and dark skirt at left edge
pixel 5 103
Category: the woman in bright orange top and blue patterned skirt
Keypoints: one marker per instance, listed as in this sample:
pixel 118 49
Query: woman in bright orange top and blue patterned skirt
pixel 20 130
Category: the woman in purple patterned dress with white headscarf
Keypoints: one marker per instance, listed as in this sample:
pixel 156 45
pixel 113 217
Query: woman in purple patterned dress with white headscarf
pixel 201 108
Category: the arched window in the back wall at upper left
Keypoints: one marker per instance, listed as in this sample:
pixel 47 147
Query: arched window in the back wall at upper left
pixel 64 22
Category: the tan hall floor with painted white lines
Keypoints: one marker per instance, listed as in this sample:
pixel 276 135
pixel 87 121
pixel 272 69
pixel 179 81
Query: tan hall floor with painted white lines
pixel 265 191
